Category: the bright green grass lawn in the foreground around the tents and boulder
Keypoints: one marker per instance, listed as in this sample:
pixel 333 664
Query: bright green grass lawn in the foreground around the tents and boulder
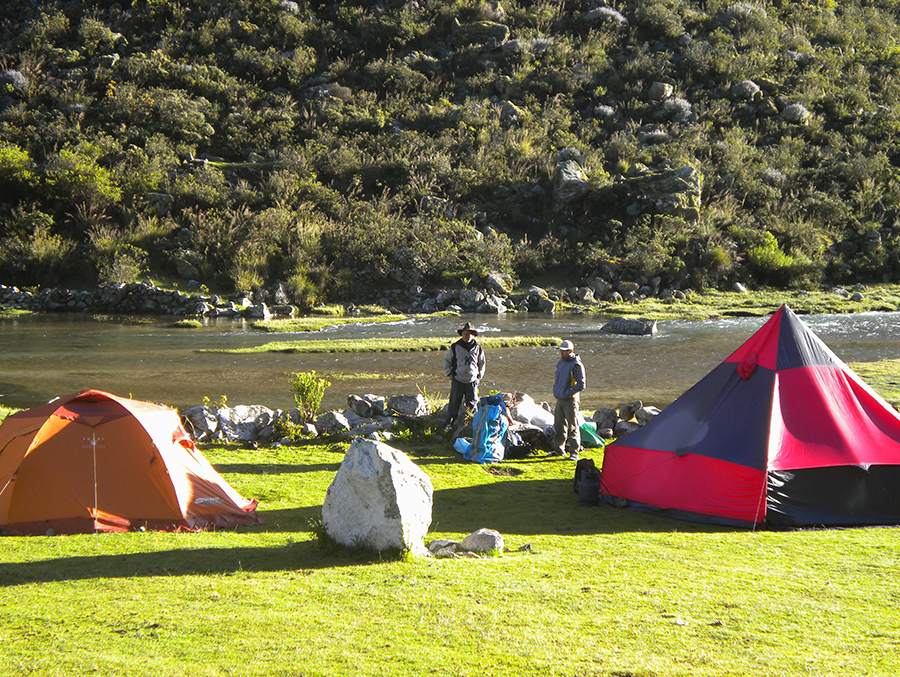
pixel 603 591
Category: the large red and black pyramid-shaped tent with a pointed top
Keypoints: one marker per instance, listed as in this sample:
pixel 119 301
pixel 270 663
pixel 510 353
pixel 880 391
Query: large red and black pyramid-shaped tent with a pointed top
pixel 782 433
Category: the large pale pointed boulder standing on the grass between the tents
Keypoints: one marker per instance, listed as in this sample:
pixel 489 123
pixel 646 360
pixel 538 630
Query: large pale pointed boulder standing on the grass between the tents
pixel 379 500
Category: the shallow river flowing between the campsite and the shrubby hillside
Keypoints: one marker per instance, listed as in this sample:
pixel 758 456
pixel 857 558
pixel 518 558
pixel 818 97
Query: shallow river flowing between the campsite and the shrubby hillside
pixel 45 356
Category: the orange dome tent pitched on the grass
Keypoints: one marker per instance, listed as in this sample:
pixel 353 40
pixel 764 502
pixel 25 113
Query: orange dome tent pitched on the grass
pixel 96 462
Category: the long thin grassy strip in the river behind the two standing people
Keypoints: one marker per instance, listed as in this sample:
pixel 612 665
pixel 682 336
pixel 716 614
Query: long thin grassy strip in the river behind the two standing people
pixel 392 345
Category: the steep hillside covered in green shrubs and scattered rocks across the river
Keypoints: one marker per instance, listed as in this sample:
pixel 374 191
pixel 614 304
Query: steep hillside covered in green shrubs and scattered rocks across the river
pixel 345 148
